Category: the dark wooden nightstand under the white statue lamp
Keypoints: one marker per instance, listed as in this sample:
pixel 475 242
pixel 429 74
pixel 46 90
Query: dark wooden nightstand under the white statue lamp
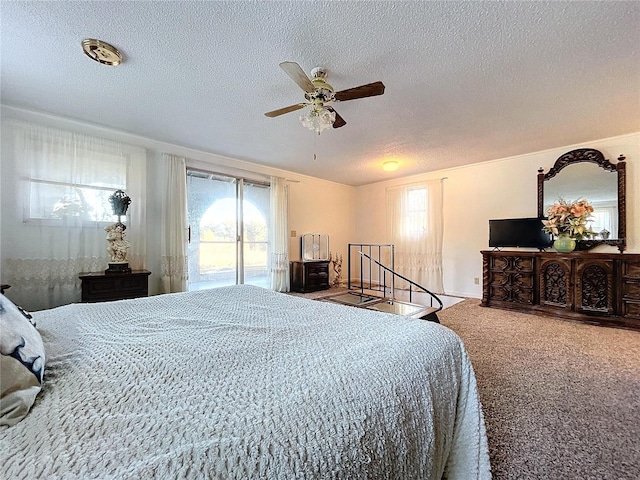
pixel 101 287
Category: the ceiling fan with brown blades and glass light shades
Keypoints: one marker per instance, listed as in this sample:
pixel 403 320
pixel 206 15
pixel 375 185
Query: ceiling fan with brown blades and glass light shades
pixel 317 93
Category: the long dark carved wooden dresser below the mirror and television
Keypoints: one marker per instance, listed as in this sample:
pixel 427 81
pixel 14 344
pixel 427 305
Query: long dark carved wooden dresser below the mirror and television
pixel 602 288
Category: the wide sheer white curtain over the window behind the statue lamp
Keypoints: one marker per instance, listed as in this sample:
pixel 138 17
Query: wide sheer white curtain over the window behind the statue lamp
pixel 55 204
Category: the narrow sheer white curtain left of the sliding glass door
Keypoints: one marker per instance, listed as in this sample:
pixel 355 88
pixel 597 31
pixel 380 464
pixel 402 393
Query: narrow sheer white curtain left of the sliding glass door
pixel 174 270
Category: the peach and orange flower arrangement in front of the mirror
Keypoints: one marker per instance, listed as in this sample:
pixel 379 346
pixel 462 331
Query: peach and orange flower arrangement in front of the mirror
pixel 569 218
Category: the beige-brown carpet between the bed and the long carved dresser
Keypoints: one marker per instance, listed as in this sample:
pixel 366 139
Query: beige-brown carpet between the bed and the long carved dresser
pixel 561 399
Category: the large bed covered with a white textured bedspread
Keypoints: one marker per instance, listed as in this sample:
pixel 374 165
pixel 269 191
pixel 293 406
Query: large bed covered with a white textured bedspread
pixel 242 382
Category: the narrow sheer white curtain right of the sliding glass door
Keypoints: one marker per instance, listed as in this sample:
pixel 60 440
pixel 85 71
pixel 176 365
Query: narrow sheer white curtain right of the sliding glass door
pixel 279 235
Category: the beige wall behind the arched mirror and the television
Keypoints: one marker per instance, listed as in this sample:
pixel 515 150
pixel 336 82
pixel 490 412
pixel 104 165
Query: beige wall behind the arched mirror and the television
pixel 504 188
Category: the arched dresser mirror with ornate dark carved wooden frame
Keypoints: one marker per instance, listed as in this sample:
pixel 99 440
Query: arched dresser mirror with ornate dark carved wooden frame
pixel 585 173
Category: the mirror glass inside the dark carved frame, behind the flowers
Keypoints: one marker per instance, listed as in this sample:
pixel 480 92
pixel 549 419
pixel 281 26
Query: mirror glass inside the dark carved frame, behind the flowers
pixel 588 181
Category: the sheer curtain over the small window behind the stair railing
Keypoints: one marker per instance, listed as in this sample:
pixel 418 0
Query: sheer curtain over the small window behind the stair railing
pixel 415 227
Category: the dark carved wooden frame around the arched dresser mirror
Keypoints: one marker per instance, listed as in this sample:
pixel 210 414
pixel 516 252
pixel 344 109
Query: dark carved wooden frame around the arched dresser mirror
pixel 593 156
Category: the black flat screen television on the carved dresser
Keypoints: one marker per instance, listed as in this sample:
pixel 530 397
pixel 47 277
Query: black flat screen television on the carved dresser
pixel 518 232
